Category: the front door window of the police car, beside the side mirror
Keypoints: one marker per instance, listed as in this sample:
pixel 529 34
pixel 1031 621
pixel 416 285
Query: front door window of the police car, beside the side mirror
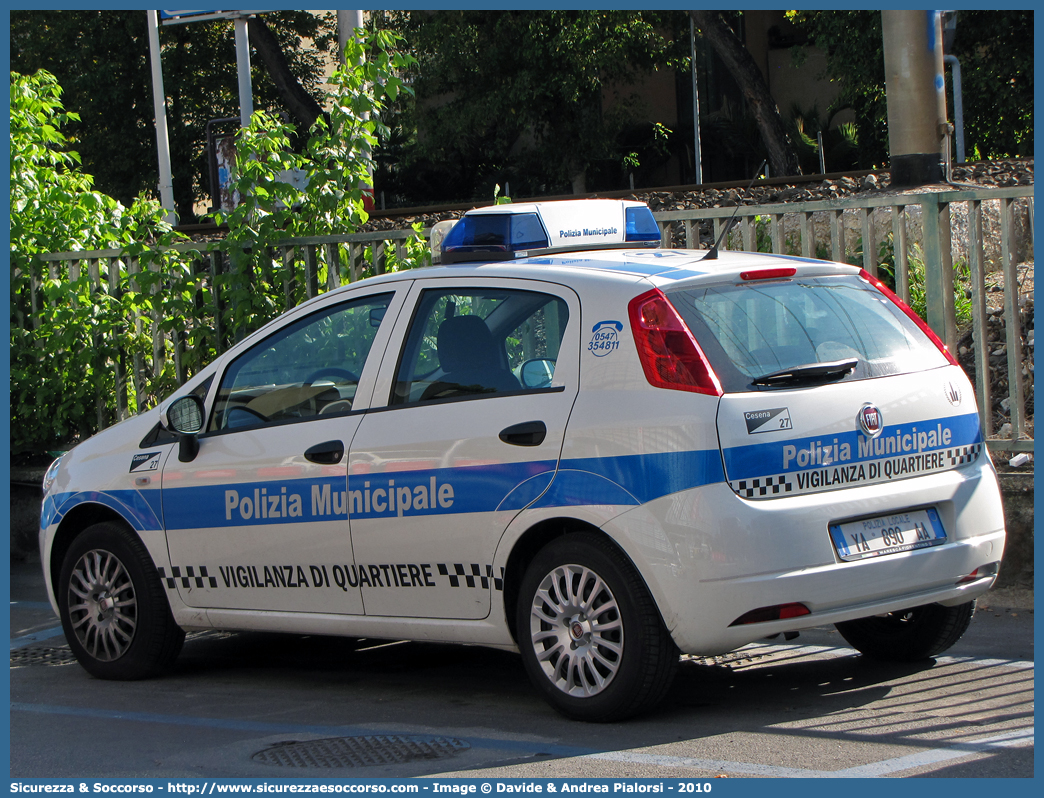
pixel 309 369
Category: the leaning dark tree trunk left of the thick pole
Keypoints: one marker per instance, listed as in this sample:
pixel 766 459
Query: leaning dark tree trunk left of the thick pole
pixel 782 156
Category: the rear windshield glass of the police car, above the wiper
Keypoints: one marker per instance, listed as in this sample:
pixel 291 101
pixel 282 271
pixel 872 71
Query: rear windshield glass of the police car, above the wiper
pixel 753 330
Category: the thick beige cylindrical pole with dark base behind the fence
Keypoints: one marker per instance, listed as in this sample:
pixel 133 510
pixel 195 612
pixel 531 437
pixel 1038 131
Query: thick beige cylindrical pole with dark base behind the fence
pixel 918 128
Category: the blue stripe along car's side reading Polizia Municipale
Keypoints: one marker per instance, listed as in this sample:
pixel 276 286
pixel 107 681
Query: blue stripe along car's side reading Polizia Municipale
pixel 624 481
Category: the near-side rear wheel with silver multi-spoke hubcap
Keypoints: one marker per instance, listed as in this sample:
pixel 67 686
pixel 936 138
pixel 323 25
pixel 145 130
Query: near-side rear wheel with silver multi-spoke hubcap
pixel 591 638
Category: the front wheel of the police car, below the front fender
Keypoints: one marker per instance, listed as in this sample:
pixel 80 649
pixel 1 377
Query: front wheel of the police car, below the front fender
pixel 114 613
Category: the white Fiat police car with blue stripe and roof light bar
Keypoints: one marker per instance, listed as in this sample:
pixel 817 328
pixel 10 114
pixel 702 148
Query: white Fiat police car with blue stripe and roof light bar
pixel 563 440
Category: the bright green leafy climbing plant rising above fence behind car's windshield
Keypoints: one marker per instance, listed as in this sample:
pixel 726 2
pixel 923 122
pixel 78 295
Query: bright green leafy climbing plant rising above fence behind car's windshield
pixel 335 175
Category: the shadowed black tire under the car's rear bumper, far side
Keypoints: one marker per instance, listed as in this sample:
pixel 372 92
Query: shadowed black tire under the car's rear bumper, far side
pixel 909 636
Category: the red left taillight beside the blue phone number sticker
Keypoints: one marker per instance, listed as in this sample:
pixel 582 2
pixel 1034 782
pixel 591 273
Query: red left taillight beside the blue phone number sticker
pixel 670 355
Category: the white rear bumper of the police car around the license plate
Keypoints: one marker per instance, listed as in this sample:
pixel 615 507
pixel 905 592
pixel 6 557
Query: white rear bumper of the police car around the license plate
pixel 710 557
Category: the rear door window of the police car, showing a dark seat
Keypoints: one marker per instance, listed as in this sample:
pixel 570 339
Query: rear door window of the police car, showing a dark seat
pixel 466 343
